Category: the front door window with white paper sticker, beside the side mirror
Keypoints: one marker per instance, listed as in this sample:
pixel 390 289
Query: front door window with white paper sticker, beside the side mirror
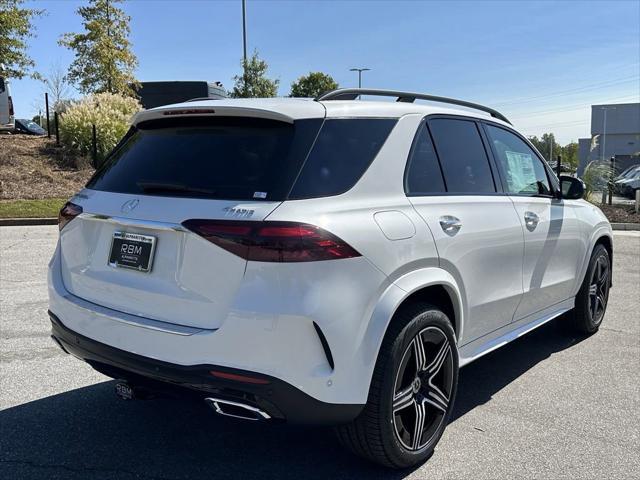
pixel 523 170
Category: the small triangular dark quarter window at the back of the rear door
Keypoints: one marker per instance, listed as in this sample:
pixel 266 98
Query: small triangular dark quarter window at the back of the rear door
pixel 423 171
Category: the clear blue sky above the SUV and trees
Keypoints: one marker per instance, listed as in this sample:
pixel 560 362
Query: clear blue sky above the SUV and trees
pixel 541 63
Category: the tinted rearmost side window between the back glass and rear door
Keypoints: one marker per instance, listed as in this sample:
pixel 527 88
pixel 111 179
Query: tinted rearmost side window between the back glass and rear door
pixel 342 153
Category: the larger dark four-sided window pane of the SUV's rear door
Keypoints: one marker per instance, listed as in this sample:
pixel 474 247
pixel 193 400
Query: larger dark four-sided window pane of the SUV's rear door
pixel 464 161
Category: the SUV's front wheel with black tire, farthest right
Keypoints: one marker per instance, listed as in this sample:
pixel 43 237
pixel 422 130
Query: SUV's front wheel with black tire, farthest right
pixel 586 320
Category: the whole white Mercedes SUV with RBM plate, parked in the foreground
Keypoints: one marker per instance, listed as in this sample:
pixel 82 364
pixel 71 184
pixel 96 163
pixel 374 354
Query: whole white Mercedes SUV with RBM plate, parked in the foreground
pixel 327 262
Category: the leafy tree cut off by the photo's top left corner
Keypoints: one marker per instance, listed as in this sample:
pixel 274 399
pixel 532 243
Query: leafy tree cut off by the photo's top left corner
pixel 16 27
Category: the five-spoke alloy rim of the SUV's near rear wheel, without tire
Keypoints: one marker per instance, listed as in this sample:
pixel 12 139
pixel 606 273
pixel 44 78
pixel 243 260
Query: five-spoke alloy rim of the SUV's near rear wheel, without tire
pixel 422 389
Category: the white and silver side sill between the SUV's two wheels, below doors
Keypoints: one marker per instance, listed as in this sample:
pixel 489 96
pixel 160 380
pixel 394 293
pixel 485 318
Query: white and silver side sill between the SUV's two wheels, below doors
pixel 470 353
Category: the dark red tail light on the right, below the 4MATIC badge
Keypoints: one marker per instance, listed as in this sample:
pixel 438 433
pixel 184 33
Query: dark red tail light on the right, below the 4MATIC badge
pixel 273 241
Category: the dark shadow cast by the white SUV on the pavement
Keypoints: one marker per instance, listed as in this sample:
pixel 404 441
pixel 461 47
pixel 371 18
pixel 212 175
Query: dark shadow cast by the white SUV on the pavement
pixel 90 434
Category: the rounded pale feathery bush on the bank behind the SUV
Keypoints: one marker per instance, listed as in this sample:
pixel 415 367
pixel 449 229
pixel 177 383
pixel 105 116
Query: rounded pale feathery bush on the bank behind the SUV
pixel 110 113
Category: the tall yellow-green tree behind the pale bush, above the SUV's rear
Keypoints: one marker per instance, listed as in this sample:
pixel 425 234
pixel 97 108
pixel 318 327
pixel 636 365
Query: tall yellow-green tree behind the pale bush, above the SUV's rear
pixel 104 61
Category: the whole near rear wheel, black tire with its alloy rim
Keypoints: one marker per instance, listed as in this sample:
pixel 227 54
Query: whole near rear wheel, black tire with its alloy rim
pixel 375 435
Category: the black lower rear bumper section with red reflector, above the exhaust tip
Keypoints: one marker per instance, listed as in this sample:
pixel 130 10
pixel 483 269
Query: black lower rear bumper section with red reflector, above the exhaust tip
pixel 281 400
